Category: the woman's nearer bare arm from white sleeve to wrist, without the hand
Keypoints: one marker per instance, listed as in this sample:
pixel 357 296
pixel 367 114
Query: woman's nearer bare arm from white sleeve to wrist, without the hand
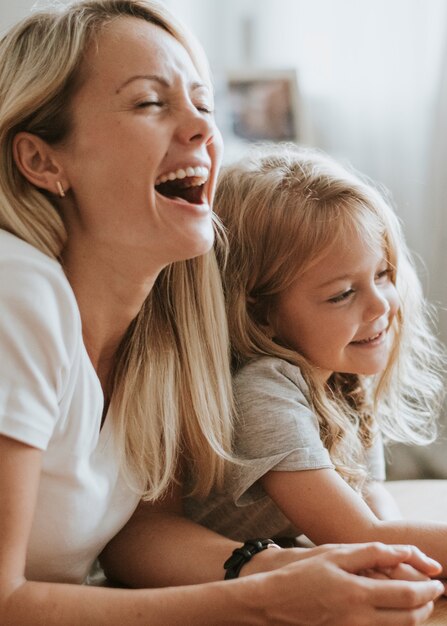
pixel 26 603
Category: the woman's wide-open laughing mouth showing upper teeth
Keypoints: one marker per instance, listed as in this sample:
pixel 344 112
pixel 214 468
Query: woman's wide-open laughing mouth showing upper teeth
pixel 186 184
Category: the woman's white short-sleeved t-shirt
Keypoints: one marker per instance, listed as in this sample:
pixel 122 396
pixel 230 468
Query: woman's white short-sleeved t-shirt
pixel 51 398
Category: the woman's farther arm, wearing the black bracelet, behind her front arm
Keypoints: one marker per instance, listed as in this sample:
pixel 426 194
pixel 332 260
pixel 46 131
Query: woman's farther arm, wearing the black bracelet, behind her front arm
pixel 186 553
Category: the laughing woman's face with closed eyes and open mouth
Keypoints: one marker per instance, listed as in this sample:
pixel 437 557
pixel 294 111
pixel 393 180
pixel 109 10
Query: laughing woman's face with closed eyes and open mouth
pixel 143 153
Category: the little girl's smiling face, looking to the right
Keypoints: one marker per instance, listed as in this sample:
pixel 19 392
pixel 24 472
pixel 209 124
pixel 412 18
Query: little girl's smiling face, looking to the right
pixel 338 313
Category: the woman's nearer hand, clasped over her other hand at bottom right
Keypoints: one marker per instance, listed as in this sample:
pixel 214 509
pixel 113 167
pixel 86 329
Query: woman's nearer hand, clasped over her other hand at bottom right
pixel 325 588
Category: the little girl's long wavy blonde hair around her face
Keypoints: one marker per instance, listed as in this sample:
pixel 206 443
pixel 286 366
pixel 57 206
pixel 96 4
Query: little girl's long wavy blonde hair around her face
pixel 283 208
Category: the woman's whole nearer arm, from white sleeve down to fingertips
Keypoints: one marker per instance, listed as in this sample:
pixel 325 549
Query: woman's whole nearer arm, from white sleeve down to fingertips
pixel 300 594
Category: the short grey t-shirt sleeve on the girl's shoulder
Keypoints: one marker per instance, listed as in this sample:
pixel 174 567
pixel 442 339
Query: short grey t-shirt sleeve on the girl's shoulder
pixel 276 428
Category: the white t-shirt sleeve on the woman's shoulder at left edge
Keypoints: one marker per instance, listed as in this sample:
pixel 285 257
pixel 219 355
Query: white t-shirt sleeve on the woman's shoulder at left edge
pixel 37 323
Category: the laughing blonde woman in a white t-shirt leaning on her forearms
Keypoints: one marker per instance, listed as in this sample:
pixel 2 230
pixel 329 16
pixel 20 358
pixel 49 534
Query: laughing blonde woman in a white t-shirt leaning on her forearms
pixel 113 376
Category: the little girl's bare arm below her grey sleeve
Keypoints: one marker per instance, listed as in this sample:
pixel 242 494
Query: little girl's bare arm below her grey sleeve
pixel 326 509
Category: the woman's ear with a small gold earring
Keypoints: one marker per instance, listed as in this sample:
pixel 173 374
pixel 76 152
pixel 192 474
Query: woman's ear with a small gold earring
pixel 38 162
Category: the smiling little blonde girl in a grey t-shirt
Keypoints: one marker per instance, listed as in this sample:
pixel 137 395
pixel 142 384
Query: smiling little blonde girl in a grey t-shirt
pixel 332 349
